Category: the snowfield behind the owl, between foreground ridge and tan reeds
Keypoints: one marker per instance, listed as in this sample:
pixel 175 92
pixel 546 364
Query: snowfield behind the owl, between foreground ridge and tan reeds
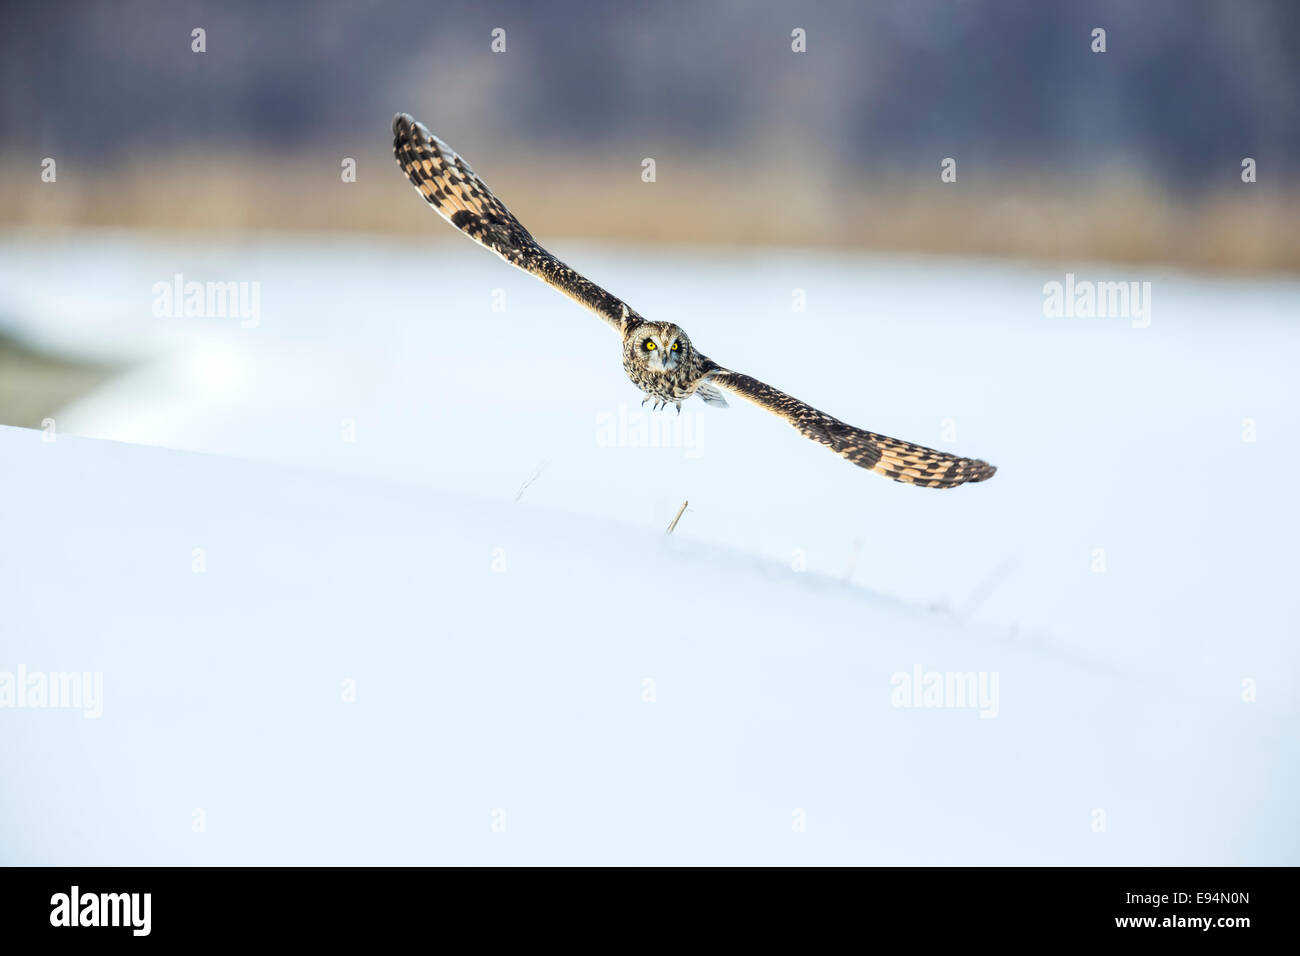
pixel 1106 436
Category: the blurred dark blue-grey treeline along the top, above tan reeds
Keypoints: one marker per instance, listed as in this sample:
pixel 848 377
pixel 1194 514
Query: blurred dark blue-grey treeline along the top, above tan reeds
pixel 1185 90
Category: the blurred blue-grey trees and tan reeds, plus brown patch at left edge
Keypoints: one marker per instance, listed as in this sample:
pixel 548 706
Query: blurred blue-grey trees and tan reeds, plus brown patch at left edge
pixel 1061 154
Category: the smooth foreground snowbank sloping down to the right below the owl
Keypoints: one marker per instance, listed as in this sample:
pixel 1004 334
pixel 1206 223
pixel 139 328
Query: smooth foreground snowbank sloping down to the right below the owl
pixel 500 652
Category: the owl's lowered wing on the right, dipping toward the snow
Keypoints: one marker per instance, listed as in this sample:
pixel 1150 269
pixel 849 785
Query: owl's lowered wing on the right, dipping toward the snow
pixel 902 461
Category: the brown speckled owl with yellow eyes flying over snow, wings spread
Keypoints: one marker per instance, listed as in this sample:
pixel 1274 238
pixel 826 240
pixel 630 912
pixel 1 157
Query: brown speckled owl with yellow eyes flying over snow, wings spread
pixel 658 357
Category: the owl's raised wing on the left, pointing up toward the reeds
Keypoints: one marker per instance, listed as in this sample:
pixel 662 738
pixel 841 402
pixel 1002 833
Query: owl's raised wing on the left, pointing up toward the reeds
pixel 452 188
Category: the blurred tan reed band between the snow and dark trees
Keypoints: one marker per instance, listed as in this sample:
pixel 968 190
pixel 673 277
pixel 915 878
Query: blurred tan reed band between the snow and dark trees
pixel 1236 227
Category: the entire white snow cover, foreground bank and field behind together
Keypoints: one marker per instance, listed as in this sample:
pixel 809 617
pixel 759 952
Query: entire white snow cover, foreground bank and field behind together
pixel 456 508
